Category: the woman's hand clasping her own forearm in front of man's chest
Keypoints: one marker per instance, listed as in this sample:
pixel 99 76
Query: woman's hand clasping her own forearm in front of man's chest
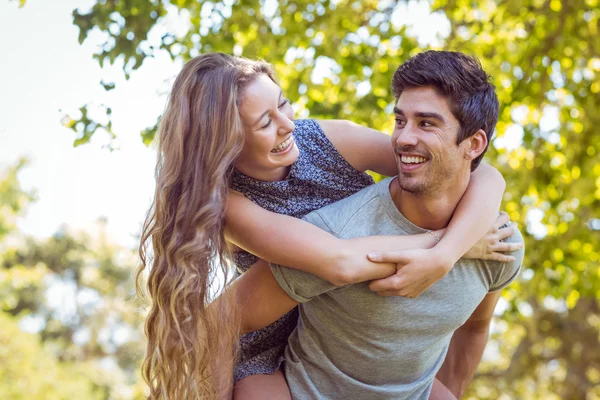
pixel 417 270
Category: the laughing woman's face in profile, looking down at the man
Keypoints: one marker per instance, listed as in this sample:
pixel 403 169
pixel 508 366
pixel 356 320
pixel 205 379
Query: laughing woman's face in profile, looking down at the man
pixel 269 148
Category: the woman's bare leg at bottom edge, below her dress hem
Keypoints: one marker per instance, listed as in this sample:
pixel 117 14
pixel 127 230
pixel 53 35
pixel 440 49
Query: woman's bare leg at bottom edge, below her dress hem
pixel 260 387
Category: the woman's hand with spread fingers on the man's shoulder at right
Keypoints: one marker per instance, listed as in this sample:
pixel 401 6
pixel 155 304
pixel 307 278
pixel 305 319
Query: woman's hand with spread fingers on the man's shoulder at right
pixel 490 246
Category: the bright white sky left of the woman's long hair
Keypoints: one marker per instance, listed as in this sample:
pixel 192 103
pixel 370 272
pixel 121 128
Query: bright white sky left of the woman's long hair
pixel 43 70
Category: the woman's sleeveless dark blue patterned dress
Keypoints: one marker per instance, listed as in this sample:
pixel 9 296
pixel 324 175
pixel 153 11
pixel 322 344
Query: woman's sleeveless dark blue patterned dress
pixel 319 177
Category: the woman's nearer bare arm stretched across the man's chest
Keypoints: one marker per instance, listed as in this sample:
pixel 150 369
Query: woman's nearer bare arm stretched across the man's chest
pixel 298 244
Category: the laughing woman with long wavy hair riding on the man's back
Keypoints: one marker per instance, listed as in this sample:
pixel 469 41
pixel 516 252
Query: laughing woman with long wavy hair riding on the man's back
pixel 231 158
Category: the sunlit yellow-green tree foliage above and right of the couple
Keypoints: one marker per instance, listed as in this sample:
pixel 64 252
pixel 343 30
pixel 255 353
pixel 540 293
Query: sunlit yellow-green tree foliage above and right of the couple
pixel 335 60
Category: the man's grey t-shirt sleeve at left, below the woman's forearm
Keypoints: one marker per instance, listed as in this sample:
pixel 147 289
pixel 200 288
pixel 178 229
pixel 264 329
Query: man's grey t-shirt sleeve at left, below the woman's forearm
pixel 299 285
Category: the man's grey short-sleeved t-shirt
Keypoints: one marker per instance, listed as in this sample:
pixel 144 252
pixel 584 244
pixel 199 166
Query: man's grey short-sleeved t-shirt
pixel 351 342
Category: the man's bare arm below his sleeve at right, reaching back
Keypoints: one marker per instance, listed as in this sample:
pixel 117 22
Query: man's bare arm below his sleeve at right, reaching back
pixel 466 347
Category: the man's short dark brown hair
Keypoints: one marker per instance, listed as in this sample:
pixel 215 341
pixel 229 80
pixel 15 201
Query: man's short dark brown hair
pixel 460 79
